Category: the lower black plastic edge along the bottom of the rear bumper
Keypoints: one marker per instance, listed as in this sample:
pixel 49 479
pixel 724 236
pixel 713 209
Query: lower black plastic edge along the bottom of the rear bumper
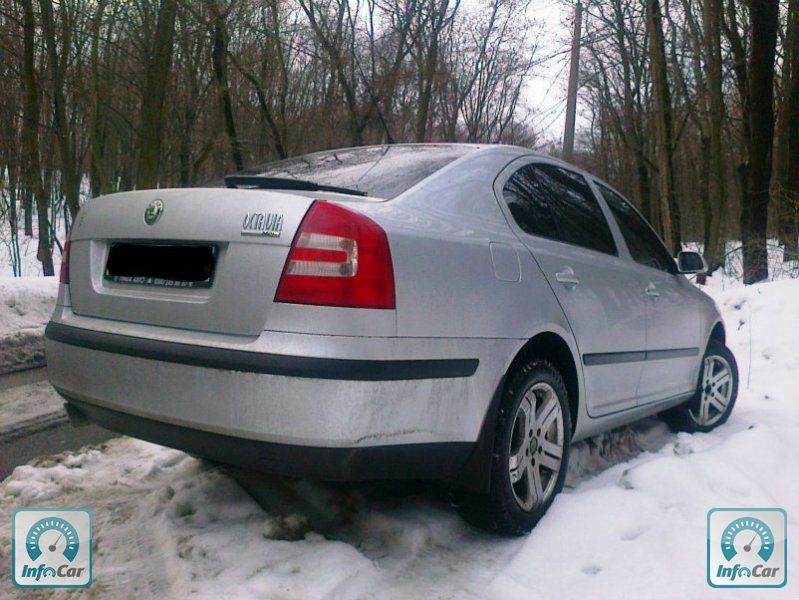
pixel 403 461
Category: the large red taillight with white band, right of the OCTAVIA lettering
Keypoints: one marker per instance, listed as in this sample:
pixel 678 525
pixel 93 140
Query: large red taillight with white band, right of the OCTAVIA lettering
pixel 338 258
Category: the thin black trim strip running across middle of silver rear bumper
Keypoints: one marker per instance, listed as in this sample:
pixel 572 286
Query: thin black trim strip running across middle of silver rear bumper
pixel 260 362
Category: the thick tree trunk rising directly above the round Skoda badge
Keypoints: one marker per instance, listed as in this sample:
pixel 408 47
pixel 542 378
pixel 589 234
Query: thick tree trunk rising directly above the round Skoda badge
pixel 159 65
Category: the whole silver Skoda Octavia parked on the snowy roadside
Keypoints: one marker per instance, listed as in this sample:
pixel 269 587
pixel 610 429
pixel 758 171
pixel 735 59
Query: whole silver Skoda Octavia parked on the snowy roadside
pixel 451 312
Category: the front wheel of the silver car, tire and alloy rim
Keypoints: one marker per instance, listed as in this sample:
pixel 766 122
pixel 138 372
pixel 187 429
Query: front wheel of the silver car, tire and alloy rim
pixel 716 392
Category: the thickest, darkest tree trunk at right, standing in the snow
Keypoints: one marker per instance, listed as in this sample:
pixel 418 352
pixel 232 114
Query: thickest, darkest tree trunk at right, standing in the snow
pixel 764 19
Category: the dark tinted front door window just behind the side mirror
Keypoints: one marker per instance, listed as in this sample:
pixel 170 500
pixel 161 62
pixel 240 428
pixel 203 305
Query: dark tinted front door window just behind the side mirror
pixel 644 246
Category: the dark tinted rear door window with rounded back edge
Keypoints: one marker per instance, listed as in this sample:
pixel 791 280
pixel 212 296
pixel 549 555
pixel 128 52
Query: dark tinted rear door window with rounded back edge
pixel 555 203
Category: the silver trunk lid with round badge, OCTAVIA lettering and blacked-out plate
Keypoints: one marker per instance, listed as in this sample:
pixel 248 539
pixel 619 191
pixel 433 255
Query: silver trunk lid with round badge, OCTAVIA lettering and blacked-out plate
pixel 200 259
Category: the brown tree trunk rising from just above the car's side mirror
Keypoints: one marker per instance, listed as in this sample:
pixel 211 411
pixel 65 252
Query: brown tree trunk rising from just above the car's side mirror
pixel 669 211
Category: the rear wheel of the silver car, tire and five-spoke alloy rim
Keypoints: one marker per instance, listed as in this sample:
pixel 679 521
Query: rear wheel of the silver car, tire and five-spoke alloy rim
pixel 532 425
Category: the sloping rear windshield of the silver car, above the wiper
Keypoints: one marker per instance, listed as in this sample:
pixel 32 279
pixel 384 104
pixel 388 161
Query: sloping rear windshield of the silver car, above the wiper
pixel 380 171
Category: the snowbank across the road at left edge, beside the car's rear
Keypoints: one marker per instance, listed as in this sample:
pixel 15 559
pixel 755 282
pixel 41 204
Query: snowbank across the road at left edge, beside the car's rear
pixel 26 304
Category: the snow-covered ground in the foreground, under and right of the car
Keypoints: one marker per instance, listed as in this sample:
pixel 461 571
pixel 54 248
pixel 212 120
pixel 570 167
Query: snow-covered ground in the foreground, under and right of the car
pixel 630 523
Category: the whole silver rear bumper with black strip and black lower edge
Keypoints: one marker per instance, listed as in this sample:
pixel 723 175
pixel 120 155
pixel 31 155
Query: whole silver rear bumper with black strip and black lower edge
pixel 374 403
